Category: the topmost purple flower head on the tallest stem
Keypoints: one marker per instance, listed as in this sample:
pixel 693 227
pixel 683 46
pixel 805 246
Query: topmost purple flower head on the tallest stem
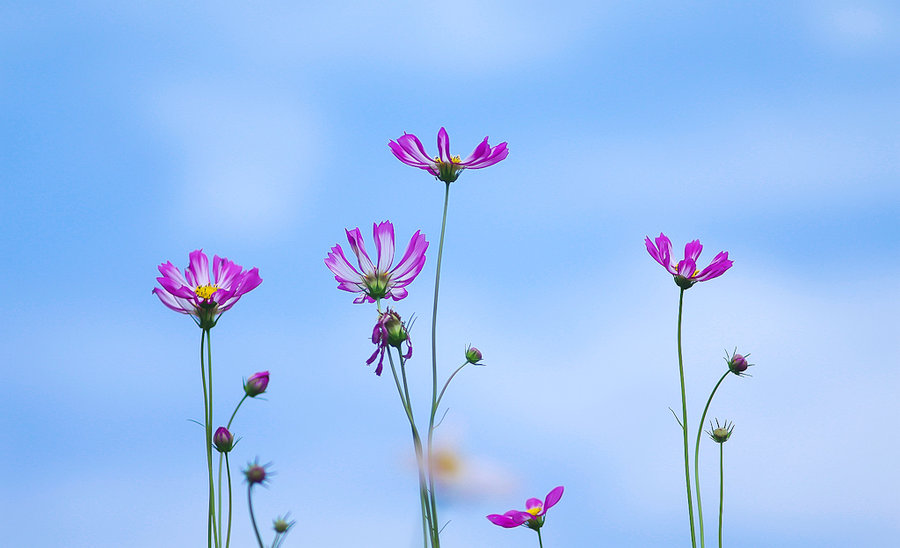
pixel 409 150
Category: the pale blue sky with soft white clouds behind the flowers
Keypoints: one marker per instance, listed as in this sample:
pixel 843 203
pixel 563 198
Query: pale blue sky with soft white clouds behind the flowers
pixel 131 135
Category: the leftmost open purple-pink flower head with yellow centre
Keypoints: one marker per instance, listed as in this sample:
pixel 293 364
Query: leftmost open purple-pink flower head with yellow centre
pixel 202 293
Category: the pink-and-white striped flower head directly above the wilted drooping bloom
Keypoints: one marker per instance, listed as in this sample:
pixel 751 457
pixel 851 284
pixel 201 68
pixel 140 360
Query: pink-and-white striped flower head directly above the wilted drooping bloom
pixel 377 281
